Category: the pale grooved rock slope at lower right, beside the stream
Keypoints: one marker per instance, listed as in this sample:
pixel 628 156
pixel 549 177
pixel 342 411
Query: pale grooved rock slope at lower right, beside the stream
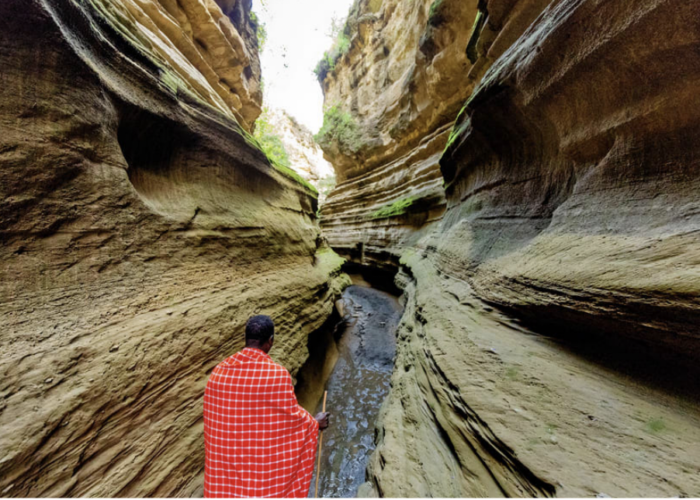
pixel 483 405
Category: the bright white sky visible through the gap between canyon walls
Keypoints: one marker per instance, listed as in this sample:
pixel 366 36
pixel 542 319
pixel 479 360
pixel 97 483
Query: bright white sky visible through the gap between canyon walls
pixel 297 36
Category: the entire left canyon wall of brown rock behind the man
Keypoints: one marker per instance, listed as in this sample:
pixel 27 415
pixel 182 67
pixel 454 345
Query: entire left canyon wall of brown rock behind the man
pixel 139 229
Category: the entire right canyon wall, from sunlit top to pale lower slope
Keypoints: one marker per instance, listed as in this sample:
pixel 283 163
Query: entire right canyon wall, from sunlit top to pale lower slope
pixel 550 341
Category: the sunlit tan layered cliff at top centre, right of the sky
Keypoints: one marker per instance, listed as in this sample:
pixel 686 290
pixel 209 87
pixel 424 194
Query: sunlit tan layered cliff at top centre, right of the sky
pixel 399 89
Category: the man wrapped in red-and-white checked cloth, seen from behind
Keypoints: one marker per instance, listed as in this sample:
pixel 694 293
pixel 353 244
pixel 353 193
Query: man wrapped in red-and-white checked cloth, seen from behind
pixel 259 442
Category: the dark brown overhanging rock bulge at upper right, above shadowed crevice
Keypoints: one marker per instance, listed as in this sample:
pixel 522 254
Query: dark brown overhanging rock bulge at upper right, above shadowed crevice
pixel 577 188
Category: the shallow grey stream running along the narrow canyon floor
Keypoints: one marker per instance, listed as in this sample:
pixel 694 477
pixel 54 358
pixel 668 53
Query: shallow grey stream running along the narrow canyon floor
pixel 357 387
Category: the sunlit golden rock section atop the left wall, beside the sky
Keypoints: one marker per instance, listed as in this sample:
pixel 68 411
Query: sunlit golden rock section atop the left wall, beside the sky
pixel 196 48
